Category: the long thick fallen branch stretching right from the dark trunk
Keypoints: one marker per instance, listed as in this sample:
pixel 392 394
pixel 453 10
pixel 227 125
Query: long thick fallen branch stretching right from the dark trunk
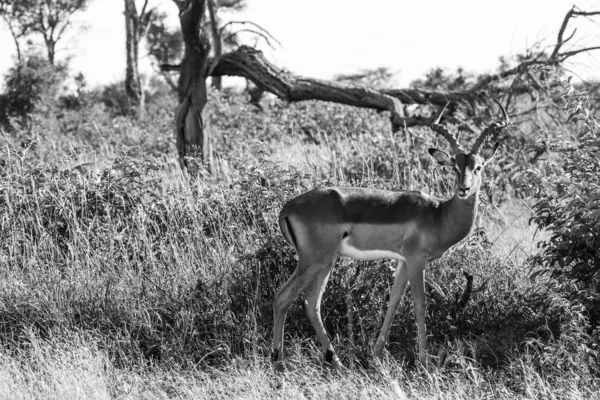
pixel 251 64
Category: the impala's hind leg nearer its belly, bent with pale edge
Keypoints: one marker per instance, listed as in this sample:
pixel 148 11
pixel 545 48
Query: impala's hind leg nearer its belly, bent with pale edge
pixel 312 302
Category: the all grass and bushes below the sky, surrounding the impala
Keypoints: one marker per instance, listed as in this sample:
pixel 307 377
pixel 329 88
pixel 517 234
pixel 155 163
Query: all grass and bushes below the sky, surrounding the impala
pixel 124 276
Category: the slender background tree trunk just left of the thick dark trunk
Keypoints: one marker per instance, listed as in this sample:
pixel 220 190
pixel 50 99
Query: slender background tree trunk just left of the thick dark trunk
pixel 133 87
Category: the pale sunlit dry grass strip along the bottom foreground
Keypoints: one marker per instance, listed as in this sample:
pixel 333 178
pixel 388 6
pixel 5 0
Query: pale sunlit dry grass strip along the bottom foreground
pixel 77 369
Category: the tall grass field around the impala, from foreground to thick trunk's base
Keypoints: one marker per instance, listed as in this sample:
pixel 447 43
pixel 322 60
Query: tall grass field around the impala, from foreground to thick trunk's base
pixel 128 279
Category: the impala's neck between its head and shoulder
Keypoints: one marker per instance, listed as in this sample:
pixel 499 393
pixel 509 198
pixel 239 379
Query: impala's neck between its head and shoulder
pixel 458 217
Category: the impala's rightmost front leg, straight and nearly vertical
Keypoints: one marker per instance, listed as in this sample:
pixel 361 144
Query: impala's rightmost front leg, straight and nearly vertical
pixel 416 273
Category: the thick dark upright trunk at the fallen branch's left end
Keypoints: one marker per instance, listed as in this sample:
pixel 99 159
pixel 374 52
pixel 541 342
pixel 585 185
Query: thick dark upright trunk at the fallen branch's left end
pixel 190 130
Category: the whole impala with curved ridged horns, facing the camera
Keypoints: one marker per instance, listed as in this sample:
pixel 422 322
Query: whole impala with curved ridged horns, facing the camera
pixel 370 224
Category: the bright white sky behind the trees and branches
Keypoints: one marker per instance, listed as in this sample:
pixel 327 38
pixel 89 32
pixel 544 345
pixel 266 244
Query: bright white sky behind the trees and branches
pixel 322 38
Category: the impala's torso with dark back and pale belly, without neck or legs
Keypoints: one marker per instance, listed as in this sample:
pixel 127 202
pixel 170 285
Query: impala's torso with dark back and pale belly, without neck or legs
pixel 365 224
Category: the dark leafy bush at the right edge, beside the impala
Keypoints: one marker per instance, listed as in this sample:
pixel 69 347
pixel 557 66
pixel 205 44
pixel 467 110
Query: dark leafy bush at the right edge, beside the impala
pixel 566 187
